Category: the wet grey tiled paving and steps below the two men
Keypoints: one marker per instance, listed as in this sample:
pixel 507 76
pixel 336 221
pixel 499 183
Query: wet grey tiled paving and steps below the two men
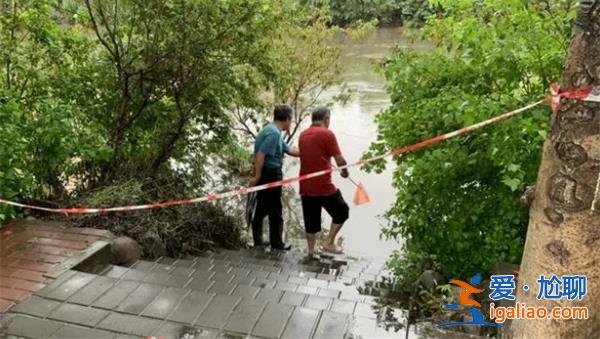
pixel 229 294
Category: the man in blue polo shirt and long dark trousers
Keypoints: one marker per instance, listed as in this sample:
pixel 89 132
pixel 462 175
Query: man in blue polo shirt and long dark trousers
pixel 269 149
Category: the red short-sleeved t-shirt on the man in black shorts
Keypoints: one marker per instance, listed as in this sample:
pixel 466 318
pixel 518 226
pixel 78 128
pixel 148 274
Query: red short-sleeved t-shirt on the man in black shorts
pixel 317 146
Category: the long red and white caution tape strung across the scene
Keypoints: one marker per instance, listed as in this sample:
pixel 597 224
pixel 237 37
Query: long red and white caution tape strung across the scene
pixel 579 94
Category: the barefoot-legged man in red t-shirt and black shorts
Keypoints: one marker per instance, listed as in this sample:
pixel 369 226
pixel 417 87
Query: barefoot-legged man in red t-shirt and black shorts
pixel 317 146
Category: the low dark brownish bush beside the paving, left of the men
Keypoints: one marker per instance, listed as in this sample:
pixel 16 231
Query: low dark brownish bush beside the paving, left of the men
pixel 174 232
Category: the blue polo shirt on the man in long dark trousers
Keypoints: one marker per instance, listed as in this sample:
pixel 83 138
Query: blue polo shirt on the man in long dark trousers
pixel 270 141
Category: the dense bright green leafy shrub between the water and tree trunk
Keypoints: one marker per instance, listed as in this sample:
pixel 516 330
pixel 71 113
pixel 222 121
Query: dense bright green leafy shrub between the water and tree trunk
pixel 457 206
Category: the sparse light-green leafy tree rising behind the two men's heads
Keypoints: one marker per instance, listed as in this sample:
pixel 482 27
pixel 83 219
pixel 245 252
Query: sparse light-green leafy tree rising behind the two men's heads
pixel 305 62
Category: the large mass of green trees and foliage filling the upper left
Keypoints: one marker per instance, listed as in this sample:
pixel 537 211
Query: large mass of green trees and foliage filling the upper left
pixel 95 92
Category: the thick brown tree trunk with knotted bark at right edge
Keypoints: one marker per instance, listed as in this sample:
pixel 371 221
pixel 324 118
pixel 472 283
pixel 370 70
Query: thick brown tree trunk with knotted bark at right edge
pixel 564 228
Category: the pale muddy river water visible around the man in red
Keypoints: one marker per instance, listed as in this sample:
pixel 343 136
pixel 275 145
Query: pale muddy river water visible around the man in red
pixel 355 128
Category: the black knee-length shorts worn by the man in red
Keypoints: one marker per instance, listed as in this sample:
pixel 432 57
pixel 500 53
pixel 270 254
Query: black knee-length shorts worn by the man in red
pixel 334 205
